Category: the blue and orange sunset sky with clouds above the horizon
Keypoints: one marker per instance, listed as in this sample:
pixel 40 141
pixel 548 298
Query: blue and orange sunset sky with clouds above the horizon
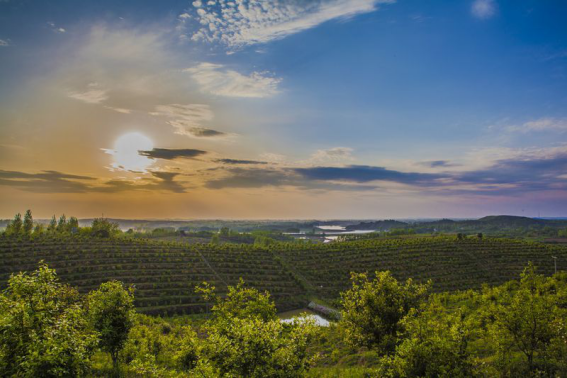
pixel 283 109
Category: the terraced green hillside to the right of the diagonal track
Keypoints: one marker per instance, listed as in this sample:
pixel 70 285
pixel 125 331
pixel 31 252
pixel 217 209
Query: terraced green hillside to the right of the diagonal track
pixel 452 264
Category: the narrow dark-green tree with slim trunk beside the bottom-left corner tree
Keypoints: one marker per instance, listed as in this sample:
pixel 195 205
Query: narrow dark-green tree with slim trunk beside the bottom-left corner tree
pixel 111 312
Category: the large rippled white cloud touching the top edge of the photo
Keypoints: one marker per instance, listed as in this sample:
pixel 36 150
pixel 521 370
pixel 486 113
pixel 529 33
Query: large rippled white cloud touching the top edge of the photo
pixel 248 22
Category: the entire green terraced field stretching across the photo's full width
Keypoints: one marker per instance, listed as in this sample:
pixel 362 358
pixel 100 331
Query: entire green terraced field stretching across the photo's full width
pixel 165 274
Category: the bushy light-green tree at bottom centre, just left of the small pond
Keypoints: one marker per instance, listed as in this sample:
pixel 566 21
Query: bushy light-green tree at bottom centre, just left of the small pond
pixel 246 339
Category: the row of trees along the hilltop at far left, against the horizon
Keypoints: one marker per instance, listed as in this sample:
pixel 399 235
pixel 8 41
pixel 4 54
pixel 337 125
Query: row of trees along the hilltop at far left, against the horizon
pixel 100 227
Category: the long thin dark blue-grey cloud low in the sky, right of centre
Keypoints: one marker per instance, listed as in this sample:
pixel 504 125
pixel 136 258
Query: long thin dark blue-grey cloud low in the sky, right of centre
pixel 365 173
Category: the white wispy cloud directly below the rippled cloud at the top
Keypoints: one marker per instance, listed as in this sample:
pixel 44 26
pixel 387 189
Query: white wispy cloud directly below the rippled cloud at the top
pixel 219 81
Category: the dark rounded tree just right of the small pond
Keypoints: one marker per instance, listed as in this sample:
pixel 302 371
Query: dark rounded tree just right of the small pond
pixel 372 310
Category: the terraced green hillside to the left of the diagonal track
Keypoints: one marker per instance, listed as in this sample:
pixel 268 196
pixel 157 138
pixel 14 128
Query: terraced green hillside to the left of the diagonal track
pixel 164 274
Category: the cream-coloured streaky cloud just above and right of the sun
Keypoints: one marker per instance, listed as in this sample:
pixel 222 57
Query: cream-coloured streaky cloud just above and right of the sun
pixel 188 119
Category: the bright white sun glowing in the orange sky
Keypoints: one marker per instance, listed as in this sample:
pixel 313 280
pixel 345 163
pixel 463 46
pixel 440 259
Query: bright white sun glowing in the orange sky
pixel 127 152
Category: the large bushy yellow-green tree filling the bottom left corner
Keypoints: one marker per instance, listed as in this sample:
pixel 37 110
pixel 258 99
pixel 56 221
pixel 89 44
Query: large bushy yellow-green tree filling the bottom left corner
pixel 43 331
